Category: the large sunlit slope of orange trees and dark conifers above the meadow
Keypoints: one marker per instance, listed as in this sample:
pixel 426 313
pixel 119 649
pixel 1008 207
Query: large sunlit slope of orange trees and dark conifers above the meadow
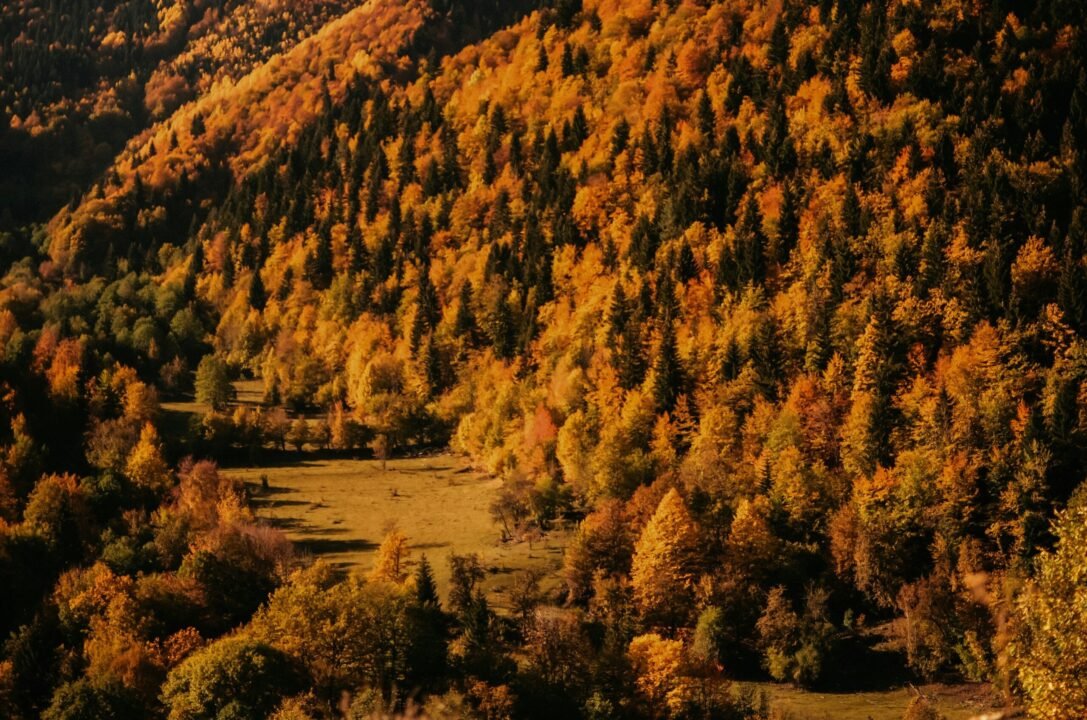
pixel 783 304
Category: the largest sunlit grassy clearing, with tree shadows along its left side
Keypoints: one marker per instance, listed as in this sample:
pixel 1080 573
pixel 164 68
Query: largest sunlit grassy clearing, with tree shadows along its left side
pixel 340 510
